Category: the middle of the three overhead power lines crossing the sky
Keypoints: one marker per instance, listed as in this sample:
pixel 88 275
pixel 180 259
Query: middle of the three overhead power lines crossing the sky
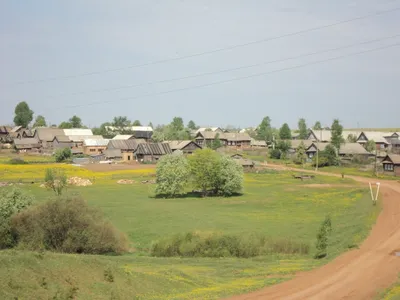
pixel 225 70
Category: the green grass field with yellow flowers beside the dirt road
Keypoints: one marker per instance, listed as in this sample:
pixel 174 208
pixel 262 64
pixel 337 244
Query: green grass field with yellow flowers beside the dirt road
pixel 273 203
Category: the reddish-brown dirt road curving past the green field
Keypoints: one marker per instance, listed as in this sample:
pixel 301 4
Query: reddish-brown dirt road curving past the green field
pixel 357 274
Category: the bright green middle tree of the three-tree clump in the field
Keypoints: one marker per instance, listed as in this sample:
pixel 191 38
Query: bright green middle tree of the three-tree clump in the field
pixel 205 168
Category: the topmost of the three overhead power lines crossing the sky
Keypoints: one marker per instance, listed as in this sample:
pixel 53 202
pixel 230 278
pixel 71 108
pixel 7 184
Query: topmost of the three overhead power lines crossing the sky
pixel 205 52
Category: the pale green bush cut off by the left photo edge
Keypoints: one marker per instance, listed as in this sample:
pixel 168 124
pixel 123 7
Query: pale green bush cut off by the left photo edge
pixel 11 202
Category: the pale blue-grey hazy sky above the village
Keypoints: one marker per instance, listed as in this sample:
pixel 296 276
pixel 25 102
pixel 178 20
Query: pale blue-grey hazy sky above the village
pixel 99 59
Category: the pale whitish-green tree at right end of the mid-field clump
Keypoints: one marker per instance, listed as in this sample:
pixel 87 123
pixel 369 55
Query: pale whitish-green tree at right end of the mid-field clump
pixel 230 178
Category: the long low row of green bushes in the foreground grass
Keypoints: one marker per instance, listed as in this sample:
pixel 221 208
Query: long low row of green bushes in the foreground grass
pixel 223 245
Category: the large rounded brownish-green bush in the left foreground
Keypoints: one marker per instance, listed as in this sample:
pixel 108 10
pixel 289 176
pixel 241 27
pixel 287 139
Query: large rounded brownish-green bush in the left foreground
pixel 67 225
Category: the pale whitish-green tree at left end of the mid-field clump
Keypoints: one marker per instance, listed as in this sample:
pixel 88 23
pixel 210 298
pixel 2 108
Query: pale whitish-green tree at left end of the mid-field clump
pixel 172 174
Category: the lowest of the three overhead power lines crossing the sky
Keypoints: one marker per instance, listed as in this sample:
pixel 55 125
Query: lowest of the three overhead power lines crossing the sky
pixel 236 78
